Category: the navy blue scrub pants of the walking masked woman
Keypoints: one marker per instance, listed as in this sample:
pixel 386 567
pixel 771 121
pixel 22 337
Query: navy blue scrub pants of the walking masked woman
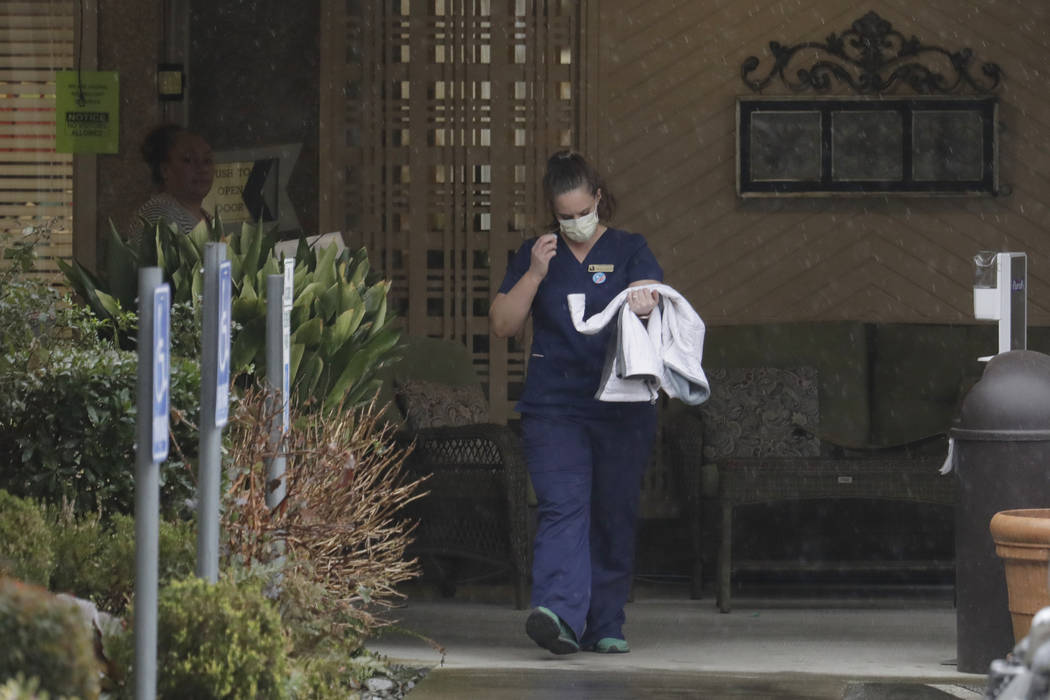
pixel 587 476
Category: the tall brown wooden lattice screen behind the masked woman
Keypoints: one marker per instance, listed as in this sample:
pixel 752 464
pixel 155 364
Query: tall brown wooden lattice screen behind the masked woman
pixel 437 119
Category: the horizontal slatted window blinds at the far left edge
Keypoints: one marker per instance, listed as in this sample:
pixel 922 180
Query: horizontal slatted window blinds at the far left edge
pixel 36 183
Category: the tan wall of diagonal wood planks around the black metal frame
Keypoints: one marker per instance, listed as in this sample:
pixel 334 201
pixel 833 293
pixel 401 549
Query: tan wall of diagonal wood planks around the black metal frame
pixel 665 93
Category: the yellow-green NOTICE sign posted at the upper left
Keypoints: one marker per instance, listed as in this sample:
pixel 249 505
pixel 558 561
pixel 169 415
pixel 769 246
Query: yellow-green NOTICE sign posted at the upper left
pixel 88 112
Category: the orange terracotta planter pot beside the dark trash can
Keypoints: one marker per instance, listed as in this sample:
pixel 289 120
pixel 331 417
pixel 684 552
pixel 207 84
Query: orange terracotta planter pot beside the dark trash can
pixel 1023 542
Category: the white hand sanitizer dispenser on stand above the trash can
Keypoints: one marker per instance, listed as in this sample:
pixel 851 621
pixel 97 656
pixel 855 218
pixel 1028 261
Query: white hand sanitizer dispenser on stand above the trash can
pixel 1001 294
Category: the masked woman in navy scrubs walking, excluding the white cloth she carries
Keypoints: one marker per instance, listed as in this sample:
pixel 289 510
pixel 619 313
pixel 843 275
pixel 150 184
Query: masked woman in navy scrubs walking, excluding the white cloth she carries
pixel 585 457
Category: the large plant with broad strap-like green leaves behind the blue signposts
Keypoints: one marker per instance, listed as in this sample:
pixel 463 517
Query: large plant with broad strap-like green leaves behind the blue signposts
pixel 342 332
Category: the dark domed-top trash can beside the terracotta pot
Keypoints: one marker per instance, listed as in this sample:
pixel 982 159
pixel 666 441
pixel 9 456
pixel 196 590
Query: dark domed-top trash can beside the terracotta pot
pixel 1002 460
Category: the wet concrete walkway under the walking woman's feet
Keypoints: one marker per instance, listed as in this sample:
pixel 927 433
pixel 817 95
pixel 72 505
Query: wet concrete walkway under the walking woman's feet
pixel 769 647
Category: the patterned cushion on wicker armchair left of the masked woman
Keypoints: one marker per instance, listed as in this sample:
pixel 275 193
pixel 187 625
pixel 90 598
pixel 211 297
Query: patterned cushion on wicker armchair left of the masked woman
pixel 435 406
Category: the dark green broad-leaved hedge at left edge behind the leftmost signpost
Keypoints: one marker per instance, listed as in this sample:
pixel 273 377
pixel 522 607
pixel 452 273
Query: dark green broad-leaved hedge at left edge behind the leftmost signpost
pixel 68 428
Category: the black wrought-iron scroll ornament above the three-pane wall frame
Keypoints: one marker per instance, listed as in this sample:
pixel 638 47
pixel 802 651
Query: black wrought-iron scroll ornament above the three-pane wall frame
pixel 872 58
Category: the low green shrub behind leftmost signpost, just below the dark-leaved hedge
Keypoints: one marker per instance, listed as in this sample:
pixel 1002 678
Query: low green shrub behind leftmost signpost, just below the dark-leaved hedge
pixel 97 562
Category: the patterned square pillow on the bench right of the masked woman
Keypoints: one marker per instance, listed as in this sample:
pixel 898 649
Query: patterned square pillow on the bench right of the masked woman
pixel 754 412
